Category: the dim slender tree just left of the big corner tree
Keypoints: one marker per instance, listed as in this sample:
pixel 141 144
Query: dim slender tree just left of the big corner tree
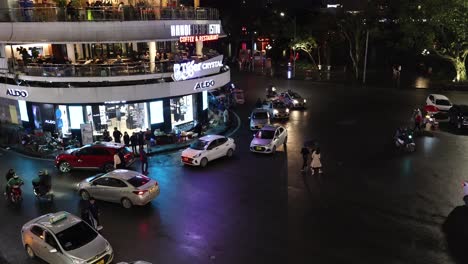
pixel 354 28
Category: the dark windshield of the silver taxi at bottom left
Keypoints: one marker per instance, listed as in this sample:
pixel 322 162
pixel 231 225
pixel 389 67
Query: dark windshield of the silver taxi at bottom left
pixel 76 236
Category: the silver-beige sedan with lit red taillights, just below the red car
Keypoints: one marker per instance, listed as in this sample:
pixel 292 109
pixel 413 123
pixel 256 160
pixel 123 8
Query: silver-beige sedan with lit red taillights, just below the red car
pixel 120 186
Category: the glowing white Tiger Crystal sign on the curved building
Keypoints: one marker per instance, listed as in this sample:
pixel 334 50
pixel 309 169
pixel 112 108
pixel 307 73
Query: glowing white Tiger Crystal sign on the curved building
pixel 187 70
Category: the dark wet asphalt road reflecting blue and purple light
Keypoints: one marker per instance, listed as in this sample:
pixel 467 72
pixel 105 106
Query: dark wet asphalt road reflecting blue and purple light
pixel 373 205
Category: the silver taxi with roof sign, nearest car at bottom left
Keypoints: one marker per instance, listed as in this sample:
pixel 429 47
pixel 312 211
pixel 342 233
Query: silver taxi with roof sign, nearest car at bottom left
pixel 65 238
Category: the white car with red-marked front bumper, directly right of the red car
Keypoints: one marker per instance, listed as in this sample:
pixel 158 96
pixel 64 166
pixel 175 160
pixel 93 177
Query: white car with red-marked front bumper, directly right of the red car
pixel 208 148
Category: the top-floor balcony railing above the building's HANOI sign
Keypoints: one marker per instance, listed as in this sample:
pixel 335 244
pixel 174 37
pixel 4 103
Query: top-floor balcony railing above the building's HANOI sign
pixel 105 13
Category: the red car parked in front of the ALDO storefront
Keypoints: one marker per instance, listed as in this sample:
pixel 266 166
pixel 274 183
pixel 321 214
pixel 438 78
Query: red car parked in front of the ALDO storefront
pixel 95 156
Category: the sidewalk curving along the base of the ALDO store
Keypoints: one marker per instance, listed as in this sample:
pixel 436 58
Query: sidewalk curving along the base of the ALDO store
pixel 218 130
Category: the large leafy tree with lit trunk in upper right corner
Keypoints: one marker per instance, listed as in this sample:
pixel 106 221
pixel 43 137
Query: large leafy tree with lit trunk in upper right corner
pixel 439 26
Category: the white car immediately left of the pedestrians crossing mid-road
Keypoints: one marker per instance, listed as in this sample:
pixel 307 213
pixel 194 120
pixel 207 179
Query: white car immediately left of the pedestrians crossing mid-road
pixel 269 139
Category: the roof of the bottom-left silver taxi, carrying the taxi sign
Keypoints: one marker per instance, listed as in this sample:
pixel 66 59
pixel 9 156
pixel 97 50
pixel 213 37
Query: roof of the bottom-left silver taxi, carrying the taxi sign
pixel 63 220
